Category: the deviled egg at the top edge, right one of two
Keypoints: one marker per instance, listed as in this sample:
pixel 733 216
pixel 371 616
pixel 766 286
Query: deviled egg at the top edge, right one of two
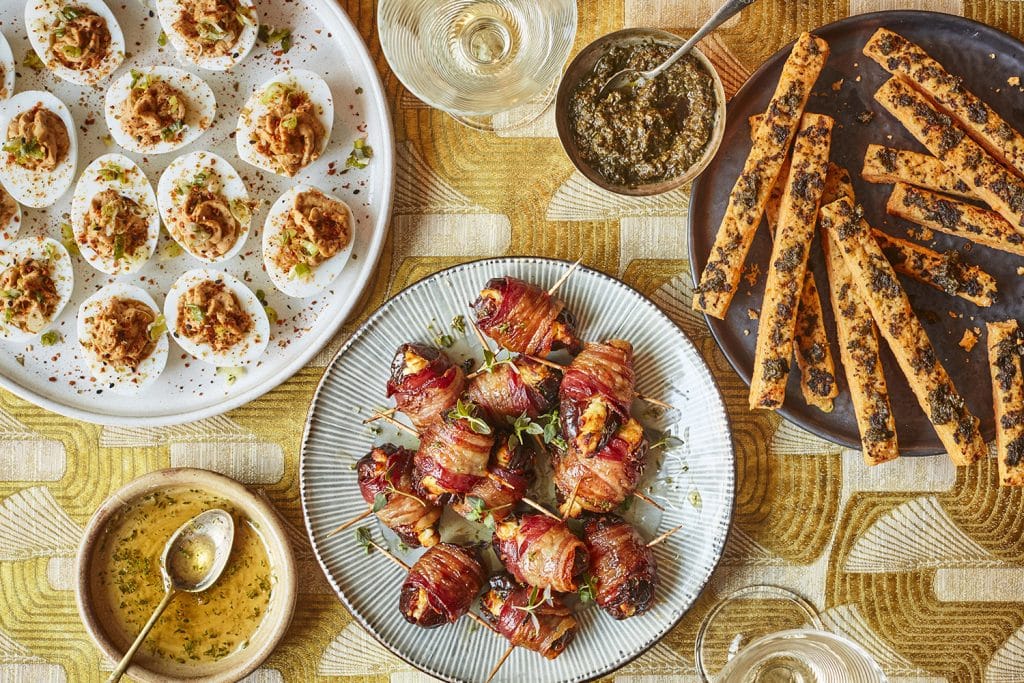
pixel 211 34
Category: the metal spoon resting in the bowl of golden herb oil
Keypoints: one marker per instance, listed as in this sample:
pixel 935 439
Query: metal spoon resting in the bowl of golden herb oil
pixel 194 559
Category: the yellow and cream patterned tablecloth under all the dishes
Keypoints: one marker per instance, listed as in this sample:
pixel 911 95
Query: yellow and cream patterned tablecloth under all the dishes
pixel 919 562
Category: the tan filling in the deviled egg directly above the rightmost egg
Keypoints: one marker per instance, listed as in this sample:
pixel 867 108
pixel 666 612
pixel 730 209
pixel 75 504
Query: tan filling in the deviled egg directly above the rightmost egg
pixel 290 134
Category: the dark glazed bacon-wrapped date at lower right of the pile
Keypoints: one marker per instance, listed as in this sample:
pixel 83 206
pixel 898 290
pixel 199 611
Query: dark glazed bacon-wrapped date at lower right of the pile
pixel 622 567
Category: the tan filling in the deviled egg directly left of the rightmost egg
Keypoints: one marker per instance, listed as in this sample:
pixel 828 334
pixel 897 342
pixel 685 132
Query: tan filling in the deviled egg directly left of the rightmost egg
pixel 208 224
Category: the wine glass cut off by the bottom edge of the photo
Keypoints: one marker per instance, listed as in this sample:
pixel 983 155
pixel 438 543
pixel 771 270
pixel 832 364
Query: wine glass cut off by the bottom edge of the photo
pixel 739 643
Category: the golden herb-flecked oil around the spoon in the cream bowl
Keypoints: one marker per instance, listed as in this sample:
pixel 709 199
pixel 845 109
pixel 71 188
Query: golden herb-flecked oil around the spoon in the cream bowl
pixel 197 627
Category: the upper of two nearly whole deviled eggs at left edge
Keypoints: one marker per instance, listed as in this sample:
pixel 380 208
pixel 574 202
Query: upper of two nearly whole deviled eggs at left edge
pixel 40 149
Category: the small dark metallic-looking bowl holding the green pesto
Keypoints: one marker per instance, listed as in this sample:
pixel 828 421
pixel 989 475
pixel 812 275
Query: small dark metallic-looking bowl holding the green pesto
pixel 584 65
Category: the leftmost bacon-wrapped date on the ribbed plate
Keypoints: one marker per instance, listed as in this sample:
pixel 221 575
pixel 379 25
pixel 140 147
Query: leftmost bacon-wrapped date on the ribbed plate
pixel 388 472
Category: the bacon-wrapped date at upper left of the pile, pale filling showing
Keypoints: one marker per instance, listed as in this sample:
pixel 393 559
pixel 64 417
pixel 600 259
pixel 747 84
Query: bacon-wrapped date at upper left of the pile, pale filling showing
pixel 425 383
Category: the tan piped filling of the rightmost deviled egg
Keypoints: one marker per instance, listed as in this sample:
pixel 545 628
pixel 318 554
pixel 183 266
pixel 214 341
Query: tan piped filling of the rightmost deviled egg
pixel 316 230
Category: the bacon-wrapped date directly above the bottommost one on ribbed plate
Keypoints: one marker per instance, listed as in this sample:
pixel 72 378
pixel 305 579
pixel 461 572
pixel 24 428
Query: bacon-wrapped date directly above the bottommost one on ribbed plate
pixel 541 551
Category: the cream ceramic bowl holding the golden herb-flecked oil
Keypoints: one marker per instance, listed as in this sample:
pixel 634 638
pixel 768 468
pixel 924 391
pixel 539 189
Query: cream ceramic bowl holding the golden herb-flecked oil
pixel 279 612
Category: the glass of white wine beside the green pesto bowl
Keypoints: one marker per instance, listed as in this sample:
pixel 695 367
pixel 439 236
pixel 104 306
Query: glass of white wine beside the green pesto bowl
pixel 493 65
